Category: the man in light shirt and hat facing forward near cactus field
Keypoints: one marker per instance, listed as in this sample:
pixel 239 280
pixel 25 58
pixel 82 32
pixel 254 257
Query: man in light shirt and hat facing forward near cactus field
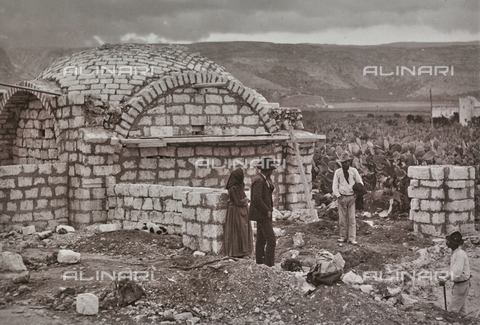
pixel 343 181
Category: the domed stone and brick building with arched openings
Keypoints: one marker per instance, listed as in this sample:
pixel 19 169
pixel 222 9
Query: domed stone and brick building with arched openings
pixel 131 134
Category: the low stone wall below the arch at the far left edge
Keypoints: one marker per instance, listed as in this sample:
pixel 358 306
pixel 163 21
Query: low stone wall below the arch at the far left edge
pixel 33 195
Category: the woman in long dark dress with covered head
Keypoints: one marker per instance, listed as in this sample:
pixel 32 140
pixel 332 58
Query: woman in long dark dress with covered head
pixel 238 230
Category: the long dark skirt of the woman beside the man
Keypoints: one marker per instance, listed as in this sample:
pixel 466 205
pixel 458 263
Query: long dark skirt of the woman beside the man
pixel 238 232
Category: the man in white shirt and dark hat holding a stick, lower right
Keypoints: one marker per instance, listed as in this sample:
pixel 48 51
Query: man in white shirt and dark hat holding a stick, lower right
pixel 459 274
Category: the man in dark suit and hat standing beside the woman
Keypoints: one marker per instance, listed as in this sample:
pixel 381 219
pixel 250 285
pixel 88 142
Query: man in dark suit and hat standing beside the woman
pixel 261 208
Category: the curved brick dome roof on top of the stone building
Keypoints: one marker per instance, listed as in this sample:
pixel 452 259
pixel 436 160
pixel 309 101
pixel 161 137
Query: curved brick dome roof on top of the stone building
pixel 119 71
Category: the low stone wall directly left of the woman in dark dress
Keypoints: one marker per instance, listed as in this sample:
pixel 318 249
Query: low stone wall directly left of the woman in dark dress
pixel 198 214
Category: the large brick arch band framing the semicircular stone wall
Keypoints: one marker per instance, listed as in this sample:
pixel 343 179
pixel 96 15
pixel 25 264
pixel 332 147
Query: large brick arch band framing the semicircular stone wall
pixel 139 102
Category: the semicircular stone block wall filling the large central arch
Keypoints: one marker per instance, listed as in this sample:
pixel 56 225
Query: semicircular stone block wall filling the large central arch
pixel 189 111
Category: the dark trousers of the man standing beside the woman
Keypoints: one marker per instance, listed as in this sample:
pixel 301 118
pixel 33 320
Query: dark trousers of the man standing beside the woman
pixel 265 237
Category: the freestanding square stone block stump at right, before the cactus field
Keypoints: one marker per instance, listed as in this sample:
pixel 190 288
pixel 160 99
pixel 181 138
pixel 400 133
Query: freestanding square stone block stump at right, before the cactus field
pixel 443 199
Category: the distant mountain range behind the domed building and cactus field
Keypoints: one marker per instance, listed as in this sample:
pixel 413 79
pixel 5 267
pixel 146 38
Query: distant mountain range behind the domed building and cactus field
pixel 300 74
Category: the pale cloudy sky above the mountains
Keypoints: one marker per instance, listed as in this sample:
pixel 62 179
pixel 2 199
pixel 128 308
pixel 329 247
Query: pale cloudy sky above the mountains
pixel 81 23
